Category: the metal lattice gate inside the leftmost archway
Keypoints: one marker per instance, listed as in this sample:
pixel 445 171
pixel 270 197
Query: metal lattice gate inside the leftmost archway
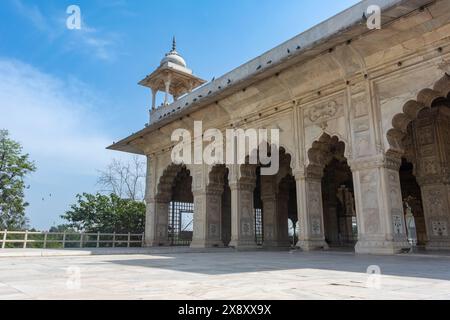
pixel 181 223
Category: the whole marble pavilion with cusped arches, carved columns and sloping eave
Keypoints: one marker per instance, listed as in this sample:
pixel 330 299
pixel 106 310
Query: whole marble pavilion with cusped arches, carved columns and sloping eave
pixel 364 143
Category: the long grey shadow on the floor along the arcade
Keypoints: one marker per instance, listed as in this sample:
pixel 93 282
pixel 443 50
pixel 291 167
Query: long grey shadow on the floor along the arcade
pixel 407 265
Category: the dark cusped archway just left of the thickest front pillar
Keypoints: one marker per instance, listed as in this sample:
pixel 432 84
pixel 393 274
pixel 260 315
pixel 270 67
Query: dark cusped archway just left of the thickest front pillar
pixel 331 198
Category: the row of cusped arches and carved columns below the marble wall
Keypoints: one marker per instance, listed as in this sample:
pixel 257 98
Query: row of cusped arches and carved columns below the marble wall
pixel 320 207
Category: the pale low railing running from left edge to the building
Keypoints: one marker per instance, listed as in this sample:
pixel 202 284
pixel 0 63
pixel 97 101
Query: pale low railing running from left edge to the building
pixel 69 239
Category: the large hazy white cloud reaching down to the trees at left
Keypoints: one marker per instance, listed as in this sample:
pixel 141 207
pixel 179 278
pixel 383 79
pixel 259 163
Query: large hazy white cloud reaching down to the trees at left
pixel 58 123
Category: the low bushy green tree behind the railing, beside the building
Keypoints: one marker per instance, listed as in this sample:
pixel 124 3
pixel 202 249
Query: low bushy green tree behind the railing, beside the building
pixel 106 214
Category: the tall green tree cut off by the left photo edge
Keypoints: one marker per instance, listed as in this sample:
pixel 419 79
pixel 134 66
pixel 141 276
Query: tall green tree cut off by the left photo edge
pixel 14 166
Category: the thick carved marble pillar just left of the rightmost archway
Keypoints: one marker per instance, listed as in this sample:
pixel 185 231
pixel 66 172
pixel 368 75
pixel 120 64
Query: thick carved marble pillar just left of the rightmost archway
pixel 379 206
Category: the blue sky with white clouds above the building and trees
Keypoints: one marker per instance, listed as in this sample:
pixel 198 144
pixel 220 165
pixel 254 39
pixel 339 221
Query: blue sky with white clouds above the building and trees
pixel 67 94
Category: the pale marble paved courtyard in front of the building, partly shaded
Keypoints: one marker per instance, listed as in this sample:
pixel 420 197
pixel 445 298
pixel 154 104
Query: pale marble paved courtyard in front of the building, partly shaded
pixel 225 275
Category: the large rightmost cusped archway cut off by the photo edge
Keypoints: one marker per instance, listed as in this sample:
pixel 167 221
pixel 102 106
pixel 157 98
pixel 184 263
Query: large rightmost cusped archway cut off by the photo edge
pixel 420 135
